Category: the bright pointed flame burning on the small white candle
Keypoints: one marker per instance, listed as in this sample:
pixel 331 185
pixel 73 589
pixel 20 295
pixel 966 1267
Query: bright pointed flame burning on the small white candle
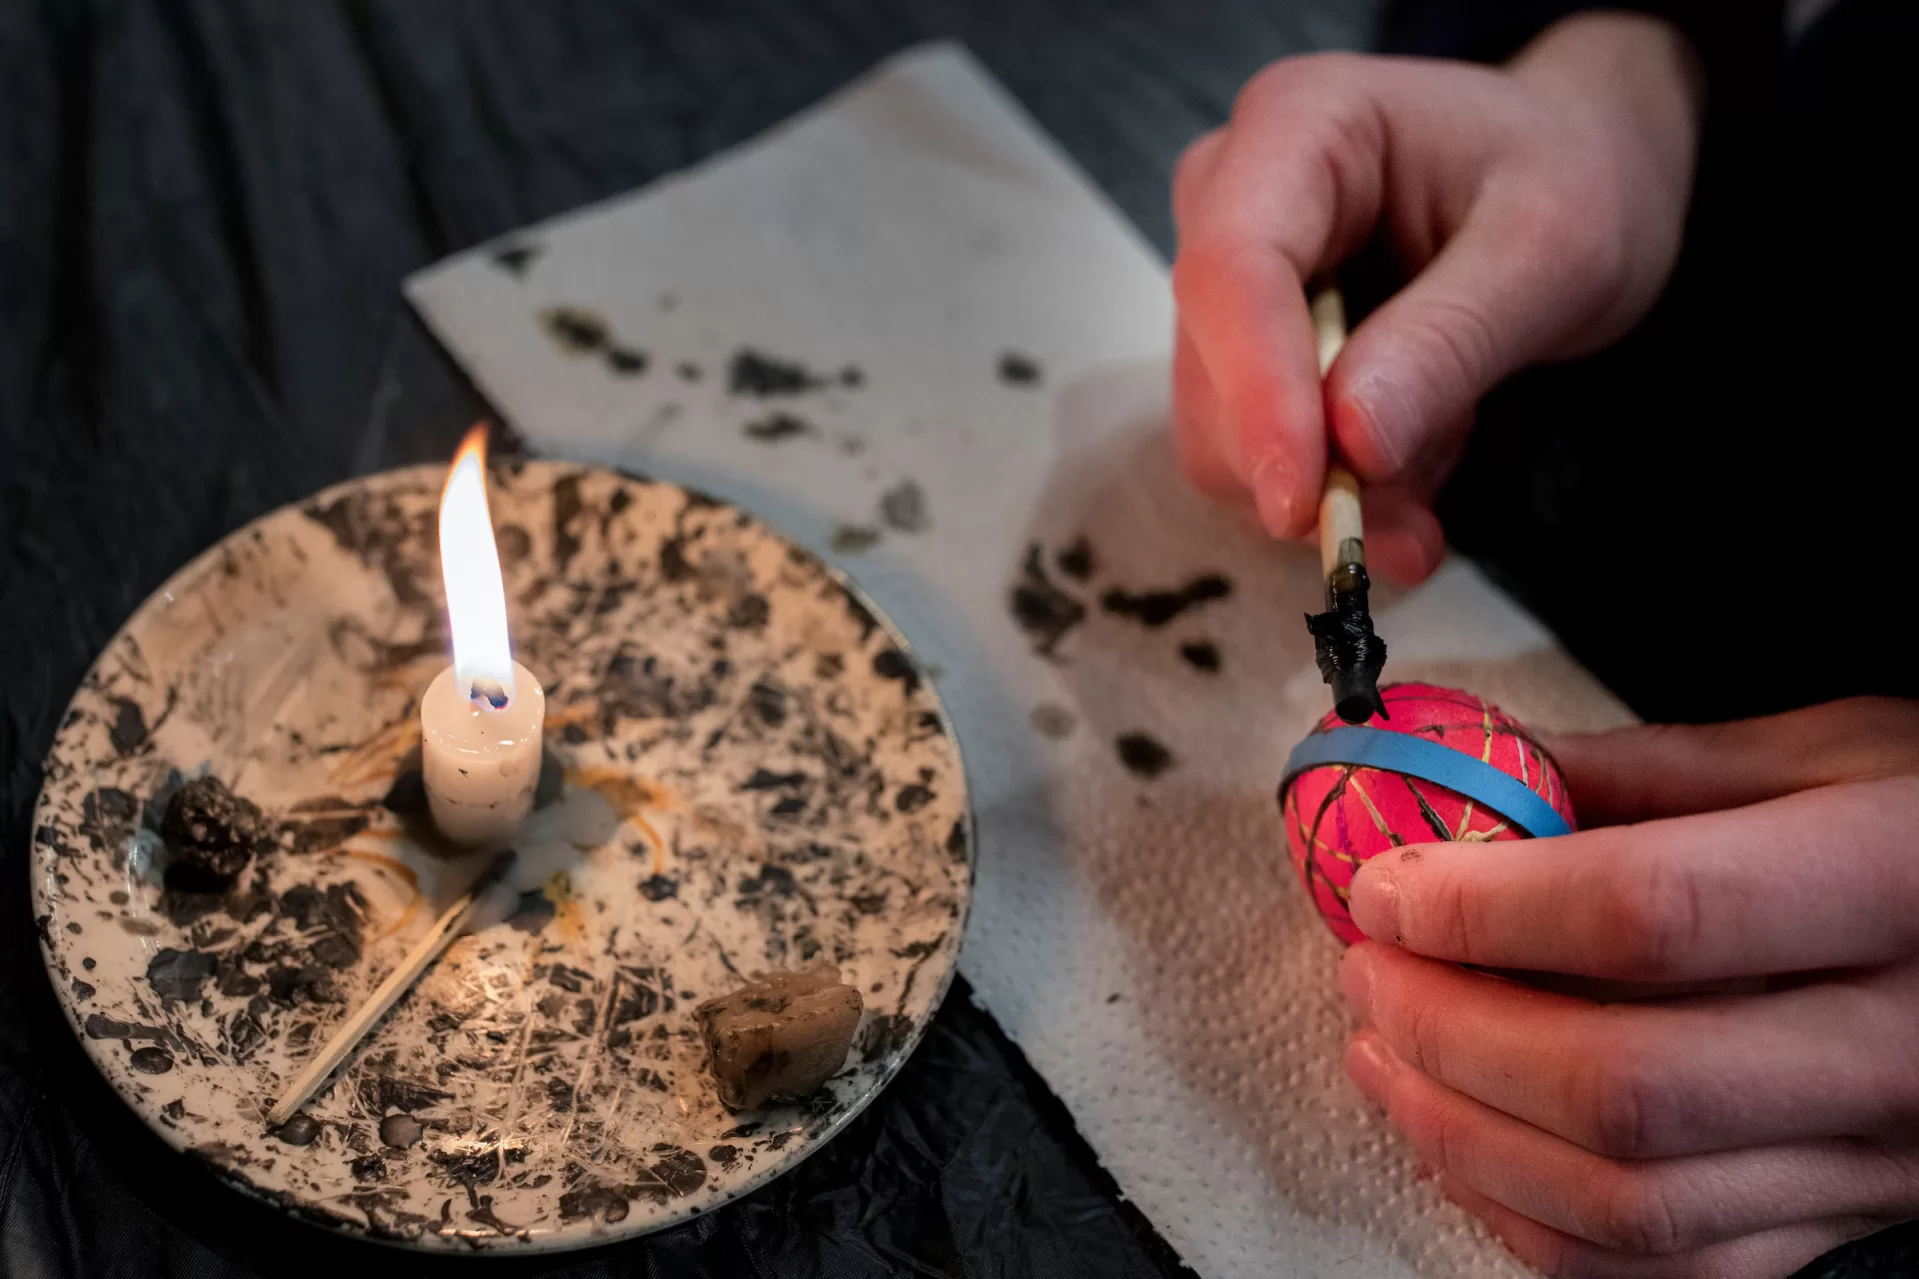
pixel 469 562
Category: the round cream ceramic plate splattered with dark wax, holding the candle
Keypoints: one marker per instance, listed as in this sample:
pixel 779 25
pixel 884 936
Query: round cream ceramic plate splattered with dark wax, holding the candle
pixel 755 777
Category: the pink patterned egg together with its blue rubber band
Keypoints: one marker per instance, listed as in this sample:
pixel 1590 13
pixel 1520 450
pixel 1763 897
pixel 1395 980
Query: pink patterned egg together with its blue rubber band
pixel 1444 765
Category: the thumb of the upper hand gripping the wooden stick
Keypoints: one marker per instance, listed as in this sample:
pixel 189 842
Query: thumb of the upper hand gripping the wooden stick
pixel 1505 291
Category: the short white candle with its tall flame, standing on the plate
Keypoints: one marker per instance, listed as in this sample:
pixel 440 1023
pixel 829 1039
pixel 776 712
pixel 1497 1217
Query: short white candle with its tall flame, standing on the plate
pixel 481 721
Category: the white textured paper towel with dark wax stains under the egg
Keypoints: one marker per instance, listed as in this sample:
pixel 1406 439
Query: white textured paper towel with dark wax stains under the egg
pixel 1143 940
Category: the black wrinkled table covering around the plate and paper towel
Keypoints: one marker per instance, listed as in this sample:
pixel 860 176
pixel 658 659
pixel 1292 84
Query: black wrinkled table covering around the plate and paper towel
pixel 206 210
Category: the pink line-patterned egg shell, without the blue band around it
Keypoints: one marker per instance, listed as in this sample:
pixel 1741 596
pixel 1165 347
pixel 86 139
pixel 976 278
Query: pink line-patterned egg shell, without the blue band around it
pixel 1339 815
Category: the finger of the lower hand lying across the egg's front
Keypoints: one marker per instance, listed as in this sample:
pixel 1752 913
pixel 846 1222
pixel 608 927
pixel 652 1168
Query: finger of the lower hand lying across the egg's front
pixel 1814 881
